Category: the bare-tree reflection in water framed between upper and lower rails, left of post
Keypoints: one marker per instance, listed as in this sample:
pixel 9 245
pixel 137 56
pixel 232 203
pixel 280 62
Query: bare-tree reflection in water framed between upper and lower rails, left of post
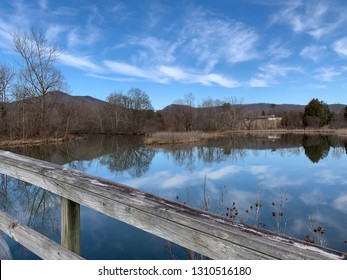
pixel 37 207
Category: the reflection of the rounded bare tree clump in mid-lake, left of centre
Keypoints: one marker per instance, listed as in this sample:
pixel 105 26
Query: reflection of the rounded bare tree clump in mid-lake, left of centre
pixel 135 159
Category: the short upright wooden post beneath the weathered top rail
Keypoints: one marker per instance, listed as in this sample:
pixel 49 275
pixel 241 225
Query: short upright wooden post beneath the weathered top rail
pixel 70 225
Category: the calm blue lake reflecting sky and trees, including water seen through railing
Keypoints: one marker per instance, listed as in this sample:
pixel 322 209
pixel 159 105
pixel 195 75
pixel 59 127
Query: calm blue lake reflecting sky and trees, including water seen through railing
pixel 290 184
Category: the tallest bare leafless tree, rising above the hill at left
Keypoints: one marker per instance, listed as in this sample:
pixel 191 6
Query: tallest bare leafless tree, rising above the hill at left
pixel 38 73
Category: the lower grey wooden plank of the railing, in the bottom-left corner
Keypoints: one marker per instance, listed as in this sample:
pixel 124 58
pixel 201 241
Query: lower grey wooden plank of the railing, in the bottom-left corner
pixel 39 244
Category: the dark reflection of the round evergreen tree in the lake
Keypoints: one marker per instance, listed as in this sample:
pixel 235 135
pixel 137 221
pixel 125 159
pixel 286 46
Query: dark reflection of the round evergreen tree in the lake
pixel 316 147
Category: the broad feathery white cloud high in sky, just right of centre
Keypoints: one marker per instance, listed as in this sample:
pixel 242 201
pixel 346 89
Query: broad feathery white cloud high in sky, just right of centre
pixel 215 40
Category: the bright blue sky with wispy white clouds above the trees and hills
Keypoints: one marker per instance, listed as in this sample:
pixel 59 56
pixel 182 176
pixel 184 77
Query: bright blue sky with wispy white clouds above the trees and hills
pixel 254 50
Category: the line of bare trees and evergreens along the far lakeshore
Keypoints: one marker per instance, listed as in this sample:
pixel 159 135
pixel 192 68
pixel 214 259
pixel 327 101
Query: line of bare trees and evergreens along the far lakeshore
pixel 32 104
